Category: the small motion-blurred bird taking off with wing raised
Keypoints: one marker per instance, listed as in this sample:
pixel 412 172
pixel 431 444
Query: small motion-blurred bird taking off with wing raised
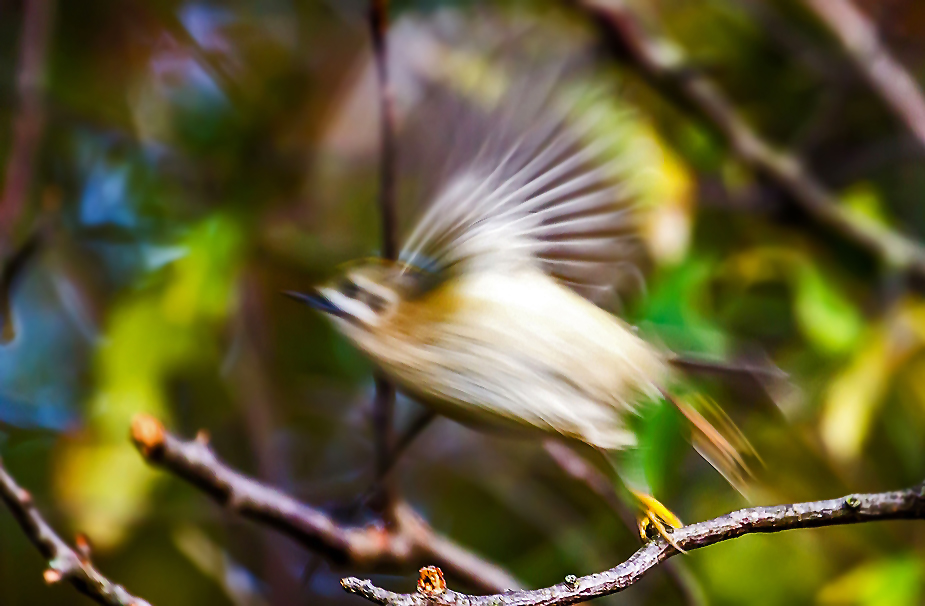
pixel 492 314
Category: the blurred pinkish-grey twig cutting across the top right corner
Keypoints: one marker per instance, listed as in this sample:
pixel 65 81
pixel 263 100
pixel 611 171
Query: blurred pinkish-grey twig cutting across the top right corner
pixel 884 73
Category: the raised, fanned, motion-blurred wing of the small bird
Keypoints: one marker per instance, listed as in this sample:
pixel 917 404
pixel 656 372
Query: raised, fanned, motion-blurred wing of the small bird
pixel 529 181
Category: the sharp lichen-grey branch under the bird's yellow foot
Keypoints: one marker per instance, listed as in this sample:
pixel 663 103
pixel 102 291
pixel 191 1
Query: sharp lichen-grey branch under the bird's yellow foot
pixel 852 509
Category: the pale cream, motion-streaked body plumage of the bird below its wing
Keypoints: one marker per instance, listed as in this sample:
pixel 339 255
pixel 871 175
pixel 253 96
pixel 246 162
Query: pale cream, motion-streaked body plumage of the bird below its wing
pixel 509 353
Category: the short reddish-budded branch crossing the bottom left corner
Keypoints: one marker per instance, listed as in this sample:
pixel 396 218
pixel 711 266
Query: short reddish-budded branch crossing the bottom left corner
pixel 64 563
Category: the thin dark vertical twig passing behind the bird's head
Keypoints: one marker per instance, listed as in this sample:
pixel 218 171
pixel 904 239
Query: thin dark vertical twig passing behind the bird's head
pixel 384 404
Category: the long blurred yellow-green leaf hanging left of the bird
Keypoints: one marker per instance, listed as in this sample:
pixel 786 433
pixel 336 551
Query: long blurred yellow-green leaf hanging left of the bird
pixel 150 336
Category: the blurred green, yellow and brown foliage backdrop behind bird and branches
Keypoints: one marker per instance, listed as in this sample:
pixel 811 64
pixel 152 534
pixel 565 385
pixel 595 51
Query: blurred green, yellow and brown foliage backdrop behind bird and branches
pixel 193 159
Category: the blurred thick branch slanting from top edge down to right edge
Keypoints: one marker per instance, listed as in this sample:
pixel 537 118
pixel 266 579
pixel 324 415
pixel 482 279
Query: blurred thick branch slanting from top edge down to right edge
pixel 664 66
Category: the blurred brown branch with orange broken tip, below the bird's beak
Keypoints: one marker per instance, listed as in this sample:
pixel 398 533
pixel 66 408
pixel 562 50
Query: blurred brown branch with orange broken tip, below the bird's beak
pixel 409 540
